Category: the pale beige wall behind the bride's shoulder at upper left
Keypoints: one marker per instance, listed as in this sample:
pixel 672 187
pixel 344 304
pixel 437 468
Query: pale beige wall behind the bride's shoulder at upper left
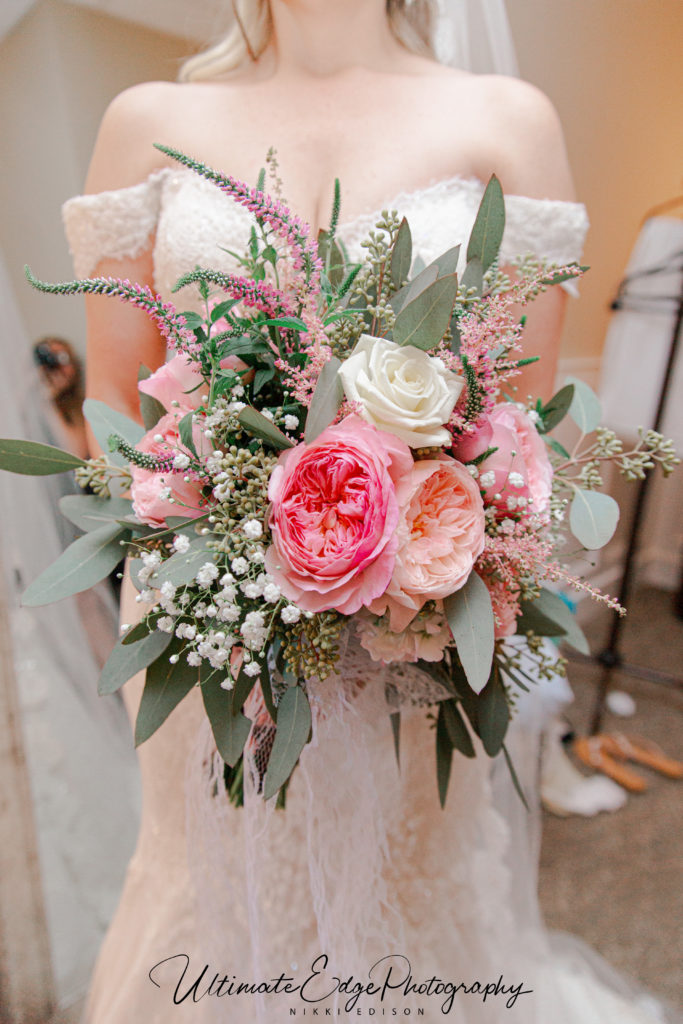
pixel 60 68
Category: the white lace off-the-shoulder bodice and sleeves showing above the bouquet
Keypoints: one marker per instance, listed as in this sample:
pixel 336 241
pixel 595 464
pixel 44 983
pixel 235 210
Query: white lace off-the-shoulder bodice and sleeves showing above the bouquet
pixel 195 223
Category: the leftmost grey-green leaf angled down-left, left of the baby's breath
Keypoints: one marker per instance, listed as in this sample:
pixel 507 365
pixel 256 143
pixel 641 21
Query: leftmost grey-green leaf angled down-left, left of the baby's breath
pixel 83 565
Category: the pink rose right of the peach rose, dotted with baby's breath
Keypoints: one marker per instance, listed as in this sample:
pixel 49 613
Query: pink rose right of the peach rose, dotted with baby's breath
pixel 520 470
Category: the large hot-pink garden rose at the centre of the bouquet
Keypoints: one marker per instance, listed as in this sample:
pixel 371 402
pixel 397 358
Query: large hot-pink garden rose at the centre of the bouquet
pixel 334 517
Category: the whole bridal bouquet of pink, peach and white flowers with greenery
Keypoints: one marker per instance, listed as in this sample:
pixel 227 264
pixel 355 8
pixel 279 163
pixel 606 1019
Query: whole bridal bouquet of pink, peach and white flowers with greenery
pixel 332 455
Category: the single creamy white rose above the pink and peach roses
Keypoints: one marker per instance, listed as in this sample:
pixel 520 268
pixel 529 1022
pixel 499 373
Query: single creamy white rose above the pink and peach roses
pixel 402 390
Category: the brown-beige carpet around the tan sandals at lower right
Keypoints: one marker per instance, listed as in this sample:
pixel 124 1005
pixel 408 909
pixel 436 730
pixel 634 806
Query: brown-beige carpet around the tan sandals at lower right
pixel 616 880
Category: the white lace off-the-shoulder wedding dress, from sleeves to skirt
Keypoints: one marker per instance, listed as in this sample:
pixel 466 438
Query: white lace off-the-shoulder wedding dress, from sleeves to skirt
pixel 363 865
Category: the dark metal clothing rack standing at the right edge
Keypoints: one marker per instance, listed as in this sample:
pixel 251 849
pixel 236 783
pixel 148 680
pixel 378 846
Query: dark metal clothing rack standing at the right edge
pixel 611 658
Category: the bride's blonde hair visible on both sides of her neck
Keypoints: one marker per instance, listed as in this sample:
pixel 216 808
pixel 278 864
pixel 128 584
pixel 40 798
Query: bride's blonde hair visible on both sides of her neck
pixel 412 22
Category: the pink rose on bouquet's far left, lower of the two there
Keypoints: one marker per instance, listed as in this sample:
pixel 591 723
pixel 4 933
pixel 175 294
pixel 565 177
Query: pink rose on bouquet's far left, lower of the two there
pixel 151 503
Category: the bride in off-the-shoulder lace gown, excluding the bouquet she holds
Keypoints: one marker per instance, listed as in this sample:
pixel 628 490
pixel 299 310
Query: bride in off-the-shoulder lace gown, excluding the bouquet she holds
pixel 364 876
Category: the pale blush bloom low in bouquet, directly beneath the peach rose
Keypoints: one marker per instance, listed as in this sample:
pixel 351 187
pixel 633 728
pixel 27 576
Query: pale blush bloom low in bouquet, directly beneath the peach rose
pixel 425 638
